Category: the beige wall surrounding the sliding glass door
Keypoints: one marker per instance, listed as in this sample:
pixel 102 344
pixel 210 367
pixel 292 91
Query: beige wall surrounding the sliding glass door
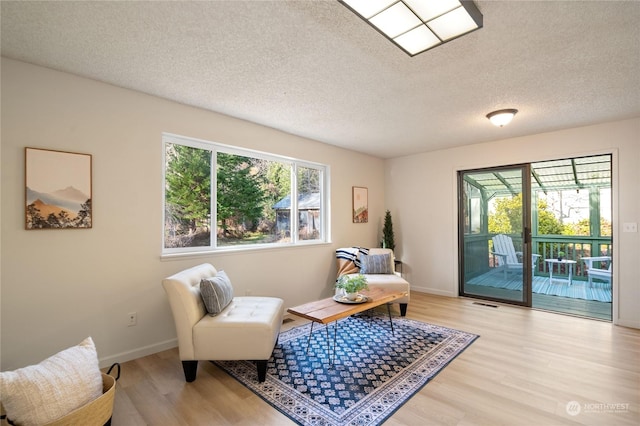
pixel 421 191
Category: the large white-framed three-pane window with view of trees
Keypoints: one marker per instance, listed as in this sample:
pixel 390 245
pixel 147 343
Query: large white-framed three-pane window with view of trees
pixel 248 198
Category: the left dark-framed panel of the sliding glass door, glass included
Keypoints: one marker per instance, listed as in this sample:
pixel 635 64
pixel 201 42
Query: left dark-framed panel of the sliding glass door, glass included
pixel 495 234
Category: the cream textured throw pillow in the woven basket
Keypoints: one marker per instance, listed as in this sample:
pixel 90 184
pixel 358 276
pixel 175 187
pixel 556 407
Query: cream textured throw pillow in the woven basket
pixel 42 393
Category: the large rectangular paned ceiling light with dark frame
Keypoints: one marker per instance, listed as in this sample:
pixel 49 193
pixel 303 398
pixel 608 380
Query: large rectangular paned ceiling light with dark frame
pixel 418 25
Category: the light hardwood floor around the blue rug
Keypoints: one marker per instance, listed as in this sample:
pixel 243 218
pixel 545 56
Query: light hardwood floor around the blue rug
pixel 525 369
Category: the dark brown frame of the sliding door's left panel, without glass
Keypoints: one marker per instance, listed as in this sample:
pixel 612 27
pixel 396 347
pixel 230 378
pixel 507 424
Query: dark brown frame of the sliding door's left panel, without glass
pixel 527 272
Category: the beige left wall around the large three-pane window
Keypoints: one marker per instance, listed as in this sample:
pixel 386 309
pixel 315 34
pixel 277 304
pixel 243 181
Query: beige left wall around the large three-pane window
pixel 61 286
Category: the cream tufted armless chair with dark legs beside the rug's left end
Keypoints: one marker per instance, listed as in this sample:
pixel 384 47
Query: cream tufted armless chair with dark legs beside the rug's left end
pixel 247 329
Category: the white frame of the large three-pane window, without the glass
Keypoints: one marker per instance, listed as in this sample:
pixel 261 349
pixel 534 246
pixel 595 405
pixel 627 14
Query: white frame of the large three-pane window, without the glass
pixel 214 148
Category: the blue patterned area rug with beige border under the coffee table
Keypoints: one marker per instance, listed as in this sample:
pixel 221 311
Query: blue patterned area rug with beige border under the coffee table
pixel 371 373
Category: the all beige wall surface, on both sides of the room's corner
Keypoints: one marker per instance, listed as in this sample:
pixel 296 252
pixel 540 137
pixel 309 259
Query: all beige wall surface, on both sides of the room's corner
pixel 58 287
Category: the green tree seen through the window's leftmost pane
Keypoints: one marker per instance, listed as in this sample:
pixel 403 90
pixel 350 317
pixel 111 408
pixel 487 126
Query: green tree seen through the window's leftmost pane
pixel 188 187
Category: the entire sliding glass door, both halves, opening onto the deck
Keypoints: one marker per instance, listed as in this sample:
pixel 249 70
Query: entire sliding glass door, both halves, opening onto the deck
pixel 539 235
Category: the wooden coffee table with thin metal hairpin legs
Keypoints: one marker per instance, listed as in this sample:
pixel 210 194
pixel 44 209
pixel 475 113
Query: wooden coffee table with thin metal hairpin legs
pixel 328 310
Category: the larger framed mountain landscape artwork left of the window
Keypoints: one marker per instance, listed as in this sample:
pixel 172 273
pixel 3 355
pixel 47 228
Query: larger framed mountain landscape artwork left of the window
pixel 57 189
